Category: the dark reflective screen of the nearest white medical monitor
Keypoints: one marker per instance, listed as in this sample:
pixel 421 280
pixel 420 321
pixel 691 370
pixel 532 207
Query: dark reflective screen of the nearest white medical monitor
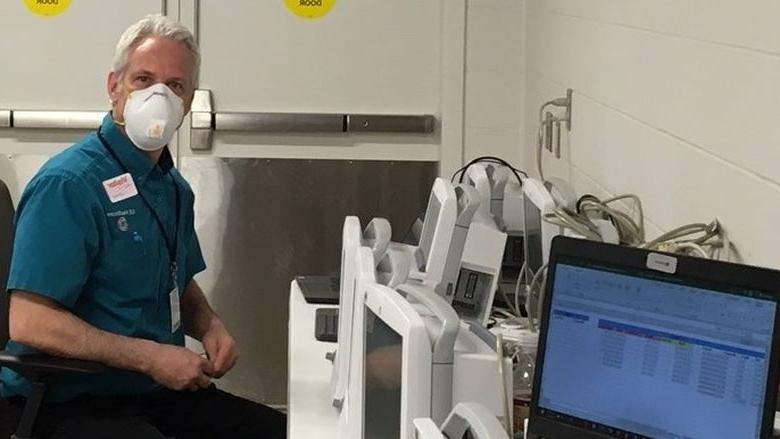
pixel 383 362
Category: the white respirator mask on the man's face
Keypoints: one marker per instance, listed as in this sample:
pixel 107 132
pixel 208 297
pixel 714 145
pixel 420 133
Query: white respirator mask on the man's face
pixel 152 116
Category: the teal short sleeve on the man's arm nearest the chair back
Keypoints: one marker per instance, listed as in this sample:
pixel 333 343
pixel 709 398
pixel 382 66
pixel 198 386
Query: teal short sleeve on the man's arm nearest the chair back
pixel 56 239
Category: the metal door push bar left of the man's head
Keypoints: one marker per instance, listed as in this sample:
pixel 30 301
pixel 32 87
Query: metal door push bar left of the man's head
pixel 57 120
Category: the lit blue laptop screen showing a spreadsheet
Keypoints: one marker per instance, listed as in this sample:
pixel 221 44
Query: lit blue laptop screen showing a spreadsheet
pixel 651 355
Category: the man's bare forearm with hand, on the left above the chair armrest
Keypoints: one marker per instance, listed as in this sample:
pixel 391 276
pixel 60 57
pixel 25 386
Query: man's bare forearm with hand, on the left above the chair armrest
pixel 42 324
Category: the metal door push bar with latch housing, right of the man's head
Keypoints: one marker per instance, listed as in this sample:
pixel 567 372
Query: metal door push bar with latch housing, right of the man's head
pixel 205 121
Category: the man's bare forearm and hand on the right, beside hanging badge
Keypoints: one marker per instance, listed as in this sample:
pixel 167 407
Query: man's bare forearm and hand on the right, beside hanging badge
pixel 202 323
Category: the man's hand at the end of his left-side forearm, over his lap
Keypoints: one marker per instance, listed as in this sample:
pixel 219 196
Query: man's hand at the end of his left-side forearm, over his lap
pixel 179 368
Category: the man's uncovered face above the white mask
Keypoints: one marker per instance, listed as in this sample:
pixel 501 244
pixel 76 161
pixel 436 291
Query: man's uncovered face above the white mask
pixel 153 60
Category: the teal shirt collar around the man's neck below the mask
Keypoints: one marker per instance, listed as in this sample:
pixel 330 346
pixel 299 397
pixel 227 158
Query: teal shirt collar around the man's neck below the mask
pixel 136 162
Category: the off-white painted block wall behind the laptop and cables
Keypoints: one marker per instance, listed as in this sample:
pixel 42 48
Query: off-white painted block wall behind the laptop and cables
pixel 676 101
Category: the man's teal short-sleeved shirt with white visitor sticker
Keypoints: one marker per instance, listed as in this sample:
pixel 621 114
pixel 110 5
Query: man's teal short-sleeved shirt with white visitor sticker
pixel 106 262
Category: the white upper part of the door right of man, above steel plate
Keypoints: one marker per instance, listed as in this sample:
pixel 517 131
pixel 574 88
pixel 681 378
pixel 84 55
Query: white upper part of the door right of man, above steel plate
pixel 364 57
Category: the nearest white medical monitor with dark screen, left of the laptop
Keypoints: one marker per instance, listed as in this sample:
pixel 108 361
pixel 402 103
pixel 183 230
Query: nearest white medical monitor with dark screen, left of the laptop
pixel 398 371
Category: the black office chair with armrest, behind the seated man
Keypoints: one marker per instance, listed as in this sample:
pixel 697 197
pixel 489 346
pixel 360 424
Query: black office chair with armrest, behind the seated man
pixel 39 369
